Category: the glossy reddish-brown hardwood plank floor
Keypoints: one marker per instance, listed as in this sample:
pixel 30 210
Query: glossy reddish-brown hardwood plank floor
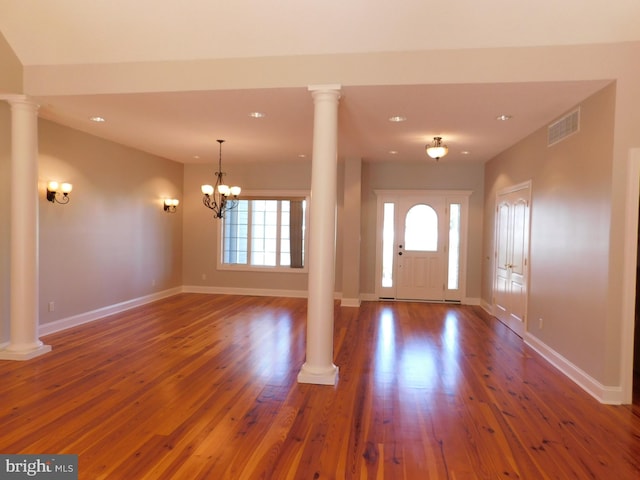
pixel 204 387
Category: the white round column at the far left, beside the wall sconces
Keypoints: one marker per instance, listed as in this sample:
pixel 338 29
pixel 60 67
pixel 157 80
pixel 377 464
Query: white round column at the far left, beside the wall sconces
pixel 23 342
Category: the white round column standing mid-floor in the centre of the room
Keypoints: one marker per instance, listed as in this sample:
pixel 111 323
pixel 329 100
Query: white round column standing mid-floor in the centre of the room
pixel 318 367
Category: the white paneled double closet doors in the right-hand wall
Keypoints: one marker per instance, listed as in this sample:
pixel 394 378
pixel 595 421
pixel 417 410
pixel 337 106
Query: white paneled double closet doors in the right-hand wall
pixel 511 258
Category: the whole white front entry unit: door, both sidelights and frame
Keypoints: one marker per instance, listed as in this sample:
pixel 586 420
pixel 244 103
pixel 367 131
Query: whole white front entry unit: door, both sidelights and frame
pixel 421 245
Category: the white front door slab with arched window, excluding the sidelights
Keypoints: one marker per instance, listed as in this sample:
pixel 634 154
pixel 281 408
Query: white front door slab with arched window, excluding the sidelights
pixel 421 234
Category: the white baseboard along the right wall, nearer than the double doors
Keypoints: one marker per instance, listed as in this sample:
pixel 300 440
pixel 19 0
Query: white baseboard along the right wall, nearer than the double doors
pixel 610 395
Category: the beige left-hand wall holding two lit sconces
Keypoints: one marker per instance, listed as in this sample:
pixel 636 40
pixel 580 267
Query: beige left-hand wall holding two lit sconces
pixel 113 242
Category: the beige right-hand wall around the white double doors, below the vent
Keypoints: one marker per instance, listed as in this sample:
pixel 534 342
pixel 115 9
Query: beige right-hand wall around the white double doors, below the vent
pixel 570 224
